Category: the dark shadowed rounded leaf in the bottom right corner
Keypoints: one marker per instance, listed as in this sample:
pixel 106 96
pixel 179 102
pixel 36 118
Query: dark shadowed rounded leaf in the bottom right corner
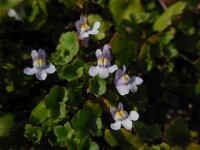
pixel 177 133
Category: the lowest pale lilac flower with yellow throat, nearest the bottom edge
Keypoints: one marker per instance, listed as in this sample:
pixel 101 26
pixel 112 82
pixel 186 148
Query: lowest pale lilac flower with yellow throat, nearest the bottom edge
pixel 122 118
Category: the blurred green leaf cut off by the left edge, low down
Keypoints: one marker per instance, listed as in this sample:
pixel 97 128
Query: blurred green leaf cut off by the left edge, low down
pixel 6 124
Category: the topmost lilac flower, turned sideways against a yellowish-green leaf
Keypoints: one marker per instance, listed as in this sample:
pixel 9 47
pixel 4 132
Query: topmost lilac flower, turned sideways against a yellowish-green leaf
pixel 84 30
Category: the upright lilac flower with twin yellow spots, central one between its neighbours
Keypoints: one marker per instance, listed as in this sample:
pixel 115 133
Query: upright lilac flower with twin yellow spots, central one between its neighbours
pixel 103 67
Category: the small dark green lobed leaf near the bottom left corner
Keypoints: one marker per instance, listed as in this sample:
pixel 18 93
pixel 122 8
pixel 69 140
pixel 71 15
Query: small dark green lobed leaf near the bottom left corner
pixel 33 133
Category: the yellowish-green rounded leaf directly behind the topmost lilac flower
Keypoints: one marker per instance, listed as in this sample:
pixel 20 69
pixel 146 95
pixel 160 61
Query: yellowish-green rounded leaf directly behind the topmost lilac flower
pixel 105 25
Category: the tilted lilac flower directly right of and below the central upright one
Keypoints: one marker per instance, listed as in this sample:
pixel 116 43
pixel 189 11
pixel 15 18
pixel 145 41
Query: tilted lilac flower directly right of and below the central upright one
pixel 124 82
